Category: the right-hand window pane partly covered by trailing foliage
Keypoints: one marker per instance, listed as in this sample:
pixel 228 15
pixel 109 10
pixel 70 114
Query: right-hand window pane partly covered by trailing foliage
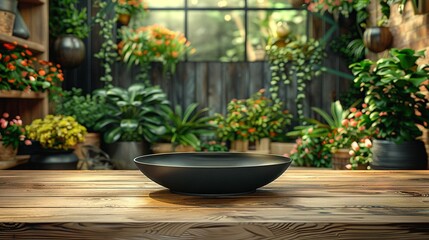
pixel 262 26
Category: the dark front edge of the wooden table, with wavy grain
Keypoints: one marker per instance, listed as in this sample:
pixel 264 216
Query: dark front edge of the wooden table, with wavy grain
pixel 183 231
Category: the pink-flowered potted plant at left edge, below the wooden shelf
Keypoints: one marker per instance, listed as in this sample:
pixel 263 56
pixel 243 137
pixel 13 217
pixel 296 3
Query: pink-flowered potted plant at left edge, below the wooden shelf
pixel 12 132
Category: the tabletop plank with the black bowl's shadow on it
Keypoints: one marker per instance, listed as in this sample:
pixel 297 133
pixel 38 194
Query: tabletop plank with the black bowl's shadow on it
pixel 165 199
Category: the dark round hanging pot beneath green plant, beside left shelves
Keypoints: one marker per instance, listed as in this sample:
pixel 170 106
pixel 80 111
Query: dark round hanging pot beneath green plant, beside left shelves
pixel 69 51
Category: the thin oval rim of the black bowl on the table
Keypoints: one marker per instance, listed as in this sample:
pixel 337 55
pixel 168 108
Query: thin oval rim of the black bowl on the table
pixel 286 161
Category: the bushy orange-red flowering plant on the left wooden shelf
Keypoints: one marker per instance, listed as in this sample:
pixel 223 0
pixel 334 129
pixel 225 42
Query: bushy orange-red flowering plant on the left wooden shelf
pixel 19 70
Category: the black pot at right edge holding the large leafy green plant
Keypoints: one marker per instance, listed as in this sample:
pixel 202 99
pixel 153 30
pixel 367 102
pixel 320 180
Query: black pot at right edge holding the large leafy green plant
pixel 405 156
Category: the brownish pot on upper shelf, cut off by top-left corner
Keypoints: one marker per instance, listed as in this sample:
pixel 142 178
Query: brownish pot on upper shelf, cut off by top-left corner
pixel 7 16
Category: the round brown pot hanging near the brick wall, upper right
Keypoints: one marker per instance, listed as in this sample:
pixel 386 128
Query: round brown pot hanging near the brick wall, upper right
pixel 377 39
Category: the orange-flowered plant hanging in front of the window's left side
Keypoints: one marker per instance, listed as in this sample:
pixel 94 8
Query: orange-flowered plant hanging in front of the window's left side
pixel 153 43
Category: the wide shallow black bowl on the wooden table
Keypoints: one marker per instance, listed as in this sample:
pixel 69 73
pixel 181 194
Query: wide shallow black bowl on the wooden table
pixel 211 173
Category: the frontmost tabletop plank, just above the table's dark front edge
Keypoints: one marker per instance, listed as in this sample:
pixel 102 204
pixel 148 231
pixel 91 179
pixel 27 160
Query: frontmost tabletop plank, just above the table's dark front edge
pixel 110 213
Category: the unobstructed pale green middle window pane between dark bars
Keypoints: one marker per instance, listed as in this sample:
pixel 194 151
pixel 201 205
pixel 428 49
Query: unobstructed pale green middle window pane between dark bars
pixel 217 35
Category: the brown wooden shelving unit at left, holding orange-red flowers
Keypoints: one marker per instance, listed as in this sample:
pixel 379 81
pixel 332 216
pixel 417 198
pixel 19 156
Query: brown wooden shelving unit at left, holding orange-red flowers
pixel 29 105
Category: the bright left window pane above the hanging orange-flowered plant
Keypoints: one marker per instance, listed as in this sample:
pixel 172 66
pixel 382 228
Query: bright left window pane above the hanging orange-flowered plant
pixel 173 20
